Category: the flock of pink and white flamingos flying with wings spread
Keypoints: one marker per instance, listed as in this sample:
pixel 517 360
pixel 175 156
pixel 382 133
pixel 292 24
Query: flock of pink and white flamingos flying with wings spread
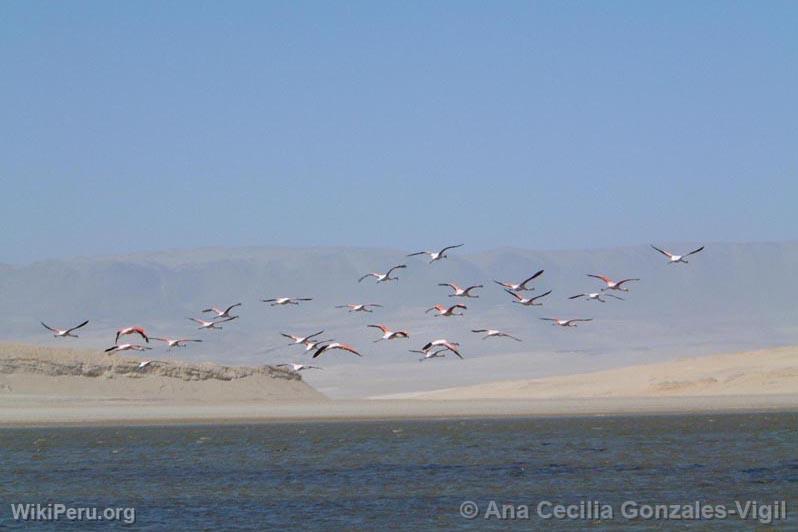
pixel 433 349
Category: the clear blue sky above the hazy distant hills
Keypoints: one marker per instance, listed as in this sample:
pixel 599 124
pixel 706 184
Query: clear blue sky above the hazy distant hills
pixel 130 126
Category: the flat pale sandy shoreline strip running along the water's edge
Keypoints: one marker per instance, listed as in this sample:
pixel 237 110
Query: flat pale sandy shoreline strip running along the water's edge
pixel 138 414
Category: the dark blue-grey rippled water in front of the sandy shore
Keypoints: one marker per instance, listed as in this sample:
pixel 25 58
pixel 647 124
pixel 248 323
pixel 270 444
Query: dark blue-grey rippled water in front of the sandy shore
pixel 403 474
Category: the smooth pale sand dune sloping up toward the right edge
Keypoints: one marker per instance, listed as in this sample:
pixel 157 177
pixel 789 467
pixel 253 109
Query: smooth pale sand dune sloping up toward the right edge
pixel 767 372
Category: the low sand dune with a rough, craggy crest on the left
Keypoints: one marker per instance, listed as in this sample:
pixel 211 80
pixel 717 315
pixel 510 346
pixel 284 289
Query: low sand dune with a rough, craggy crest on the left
pixel 40 375
